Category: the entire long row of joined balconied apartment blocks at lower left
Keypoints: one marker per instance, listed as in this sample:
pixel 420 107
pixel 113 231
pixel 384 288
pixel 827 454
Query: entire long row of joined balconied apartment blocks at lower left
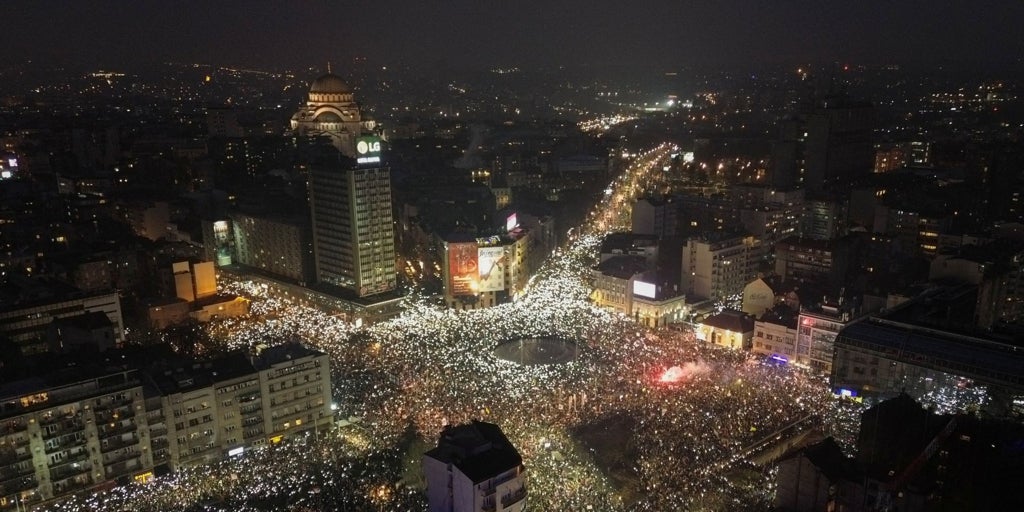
pixel 83 426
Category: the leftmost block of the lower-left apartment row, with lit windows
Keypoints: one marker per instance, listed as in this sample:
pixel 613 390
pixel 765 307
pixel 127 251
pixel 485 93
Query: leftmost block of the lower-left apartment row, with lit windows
pixel 71 431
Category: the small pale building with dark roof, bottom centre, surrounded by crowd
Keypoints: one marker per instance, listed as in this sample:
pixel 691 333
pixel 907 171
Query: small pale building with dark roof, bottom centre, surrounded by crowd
pixel 475 468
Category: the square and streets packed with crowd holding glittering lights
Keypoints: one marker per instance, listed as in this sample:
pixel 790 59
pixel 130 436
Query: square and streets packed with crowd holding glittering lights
pixel 616 430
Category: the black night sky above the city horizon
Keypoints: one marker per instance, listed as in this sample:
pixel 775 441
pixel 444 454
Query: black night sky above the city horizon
pixel 528 33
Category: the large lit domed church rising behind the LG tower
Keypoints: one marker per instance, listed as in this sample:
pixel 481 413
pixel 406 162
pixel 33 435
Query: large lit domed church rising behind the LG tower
pixel 331 111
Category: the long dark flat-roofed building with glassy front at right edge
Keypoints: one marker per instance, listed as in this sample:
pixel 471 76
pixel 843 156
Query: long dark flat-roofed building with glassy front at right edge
pixel 926 347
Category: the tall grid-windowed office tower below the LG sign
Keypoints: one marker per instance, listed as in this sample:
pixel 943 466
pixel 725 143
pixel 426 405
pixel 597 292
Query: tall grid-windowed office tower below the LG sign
pixel 354 229
